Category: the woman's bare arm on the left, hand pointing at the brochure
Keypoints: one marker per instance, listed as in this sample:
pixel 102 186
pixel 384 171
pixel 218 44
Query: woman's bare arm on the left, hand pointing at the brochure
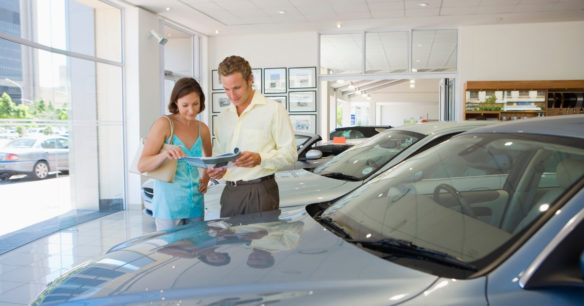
pixel 151 157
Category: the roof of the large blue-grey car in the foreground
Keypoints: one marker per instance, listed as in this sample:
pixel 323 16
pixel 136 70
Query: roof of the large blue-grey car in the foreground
pixel 566 125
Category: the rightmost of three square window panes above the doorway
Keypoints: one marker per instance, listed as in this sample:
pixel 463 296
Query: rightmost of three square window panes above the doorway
pixel 434 50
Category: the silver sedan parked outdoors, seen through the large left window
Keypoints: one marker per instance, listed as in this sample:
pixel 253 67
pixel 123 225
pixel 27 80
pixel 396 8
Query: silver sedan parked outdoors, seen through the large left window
pixel 37 156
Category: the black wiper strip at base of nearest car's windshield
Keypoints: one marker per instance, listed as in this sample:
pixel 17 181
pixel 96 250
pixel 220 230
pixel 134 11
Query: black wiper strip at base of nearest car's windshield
pixel 406 248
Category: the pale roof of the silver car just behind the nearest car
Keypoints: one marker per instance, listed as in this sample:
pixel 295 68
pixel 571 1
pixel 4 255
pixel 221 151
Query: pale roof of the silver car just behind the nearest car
pixel 437 127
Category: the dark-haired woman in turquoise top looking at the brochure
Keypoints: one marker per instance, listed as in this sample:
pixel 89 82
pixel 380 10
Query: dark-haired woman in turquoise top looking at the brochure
pixel 181 201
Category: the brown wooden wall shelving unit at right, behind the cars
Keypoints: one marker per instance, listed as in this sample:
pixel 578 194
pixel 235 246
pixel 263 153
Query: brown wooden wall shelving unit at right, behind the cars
pixel 512 100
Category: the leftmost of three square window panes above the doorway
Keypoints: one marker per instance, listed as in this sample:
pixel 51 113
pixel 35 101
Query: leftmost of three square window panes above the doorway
pixel 347 61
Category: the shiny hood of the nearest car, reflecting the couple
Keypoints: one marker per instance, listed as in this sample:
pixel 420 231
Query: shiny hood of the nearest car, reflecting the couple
pixel 309 265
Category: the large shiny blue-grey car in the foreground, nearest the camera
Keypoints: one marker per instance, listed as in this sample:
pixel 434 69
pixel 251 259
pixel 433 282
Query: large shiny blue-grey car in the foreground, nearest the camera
pixel 494 216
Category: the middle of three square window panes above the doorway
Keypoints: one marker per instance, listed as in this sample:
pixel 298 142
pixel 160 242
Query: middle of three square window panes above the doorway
pixel 386 52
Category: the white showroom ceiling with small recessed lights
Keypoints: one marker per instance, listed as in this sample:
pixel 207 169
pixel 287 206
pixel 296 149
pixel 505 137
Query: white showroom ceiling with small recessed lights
pixel 236 17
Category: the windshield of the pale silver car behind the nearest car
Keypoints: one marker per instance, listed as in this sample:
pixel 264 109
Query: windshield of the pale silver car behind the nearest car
pixel 366 158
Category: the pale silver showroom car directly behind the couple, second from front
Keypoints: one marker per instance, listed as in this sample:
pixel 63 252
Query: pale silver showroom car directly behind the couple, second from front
pixel 351 168
